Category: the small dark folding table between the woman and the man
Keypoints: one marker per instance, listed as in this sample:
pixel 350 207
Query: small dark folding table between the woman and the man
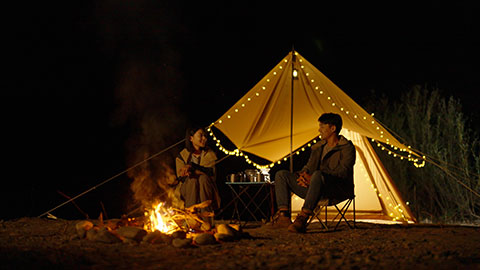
pixel 243 198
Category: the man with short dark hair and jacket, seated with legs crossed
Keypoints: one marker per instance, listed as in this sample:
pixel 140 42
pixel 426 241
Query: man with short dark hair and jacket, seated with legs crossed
pixel 328 173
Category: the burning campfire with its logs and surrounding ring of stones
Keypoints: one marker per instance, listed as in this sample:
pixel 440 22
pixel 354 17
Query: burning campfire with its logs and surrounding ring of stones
pixel 161 224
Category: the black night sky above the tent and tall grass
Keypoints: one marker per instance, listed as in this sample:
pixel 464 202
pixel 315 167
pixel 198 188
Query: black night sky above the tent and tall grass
pixel 89 82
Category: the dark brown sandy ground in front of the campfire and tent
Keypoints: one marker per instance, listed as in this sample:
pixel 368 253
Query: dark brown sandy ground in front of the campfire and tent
pixel 33 243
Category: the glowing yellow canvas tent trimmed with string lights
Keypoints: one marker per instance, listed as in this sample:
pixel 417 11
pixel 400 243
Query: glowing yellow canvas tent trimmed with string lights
pixel 260 123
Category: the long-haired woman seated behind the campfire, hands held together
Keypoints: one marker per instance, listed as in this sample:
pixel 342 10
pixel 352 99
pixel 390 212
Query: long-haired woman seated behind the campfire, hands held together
pixel 196 168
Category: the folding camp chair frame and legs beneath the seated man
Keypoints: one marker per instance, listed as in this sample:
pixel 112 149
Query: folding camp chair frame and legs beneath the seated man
pixel 324 203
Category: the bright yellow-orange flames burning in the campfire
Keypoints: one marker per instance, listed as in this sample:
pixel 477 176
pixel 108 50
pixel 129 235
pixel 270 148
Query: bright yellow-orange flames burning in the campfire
pixel 161 219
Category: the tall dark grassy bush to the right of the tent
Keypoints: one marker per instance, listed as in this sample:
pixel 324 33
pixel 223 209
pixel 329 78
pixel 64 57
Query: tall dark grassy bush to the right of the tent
pixel 446 189
